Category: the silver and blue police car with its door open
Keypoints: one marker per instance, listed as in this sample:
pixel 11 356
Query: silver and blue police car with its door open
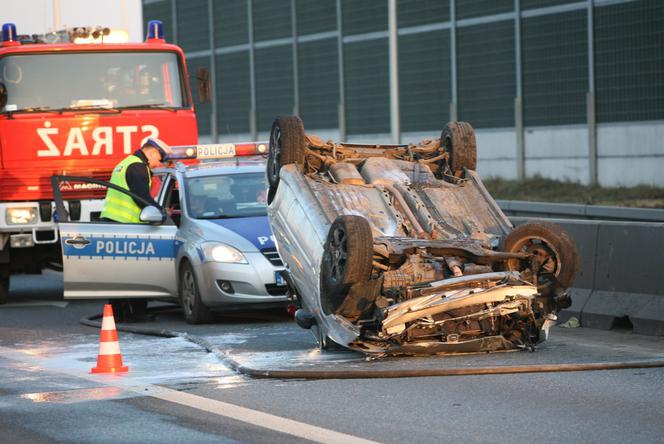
pixel 211 247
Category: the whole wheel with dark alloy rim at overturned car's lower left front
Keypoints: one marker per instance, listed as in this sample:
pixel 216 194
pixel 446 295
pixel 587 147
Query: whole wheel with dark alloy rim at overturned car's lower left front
pixel 347 259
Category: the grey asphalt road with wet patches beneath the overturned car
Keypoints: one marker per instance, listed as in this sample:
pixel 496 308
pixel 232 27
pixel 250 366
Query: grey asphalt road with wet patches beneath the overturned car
pixel 176 392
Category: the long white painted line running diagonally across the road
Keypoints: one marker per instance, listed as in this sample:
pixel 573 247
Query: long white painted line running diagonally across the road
pixel 247 415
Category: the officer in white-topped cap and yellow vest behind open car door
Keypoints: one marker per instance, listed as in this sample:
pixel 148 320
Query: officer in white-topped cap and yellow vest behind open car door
pixel 134 173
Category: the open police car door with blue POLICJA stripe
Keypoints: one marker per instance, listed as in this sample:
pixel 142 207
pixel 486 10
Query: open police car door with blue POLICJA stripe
pixel 104 260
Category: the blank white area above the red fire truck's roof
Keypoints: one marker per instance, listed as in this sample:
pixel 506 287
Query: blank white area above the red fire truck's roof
pixel 38 17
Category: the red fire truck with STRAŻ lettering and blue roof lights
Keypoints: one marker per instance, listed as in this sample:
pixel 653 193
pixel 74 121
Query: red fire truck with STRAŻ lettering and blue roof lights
pixel 77 109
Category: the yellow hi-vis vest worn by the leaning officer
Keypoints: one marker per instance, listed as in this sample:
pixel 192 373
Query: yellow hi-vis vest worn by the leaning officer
pixel 119 206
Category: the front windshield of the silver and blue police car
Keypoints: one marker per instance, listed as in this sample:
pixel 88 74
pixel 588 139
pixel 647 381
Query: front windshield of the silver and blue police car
pixel 230 196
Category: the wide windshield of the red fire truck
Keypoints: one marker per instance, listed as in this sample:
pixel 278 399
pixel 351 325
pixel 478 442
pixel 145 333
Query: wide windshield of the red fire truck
pixel 92 80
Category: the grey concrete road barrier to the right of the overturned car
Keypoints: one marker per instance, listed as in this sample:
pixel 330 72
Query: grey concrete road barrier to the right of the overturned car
pixel 621 276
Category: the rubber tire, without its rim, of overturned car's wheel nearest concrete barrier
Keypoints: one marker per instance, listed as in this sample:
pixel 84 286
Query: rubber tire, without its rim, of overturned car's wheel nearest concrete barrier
pixel 557 237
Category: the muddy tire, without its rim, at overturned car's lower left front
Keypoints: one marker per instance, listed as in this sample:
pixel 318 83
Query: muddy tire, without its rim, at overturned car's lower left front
pixel 359 251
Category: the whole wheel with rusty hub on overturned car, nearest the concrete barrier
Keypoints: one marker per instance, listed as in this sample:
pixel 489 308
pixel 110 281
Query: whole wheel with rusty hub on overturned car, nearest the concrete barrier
pixel 553 247
